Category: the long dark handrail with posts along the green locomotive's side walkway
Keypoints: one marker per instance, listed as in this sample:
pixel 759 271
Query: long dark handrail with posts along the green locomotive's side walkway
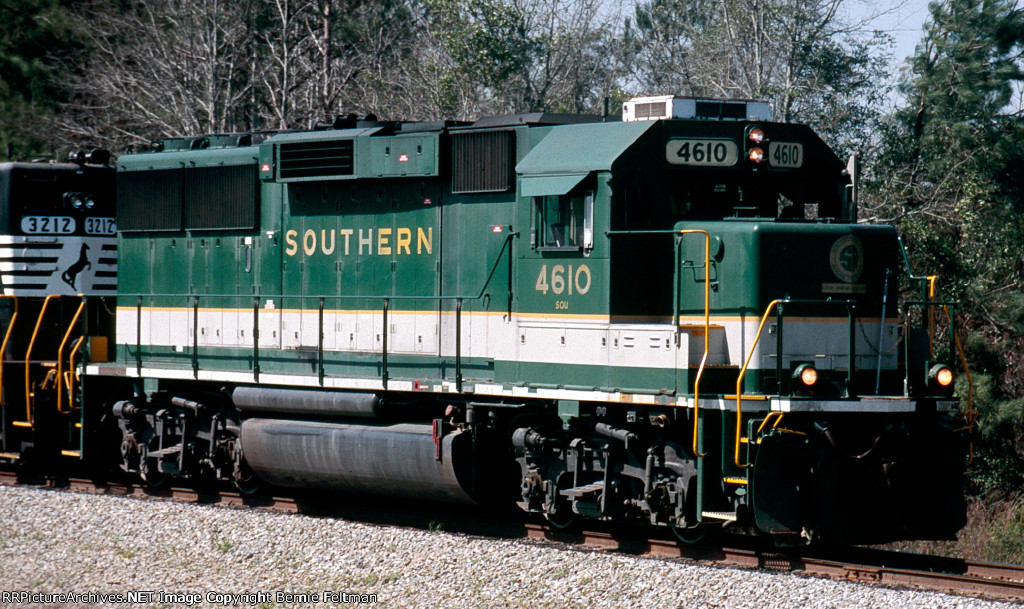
pixel 387 304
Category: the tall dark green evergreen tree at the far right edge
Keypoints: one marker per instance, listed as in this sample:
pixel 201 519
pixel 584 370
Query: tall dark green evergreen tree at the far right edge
pixel 949 177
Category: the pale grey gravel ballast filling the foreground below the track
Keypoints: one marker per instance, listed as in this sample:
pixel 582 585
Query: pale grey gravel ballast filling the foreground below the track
pixel 61 543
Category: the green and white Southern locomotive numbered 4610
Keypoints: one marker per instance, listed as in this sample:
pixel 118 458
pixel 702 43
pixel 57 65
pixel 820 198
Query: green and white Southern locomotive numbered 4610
pixel 672 318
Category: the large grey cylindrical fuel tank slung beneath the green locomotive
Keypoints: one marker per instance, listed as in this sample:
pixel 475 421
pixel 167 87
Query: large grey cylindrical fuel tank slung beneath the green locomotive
pixel 401 460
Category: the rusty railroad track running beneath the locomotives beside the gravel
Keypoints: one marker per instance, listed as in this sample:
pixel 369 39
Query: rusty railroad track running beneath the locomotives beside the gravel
pixel 894 570
